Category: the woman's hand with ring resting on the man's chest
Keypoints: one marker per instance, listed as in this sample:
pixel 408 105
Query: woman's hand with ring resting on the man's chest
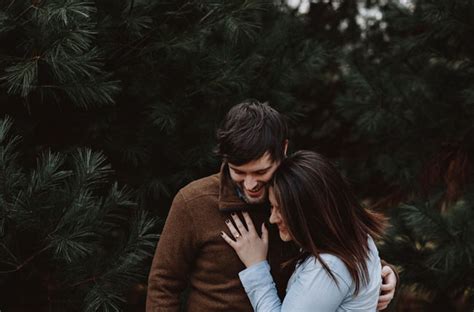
pixel 250 248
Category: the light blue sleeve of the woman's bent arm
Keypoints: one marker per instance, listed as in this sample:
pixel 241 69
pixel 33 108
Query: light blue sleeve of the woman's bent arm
pixel 311 290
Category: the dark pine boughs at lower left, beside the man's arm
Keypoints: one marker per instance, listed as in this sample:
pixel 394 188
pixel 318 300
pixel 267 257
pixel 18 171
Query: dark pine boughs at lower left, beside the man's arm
pixel 70 240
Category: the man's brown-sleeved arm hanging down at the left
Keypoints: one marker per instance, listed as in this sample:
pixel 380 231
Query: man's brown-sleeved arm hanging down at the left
pixel 169 273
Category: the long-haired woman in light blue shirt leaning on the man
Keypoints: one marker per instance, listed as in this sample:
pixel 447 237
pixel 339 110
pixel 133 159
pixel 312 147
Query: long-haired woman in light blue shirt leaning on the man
pixel 338 268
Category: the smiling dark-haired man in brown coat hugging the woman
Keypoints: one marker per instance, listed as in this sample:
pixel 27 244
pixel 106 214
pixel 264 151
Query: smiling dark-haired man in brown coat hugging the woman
pixel 191 253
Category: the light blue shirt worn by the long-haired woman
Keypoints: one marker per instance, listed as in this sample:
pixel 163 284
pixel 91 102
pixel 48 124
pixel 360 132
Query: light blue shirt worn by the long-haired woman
pixel 310 287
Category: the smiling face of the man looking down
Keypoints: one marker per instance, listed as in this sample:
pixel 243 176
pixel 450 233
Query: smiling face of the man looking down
pixel 252 178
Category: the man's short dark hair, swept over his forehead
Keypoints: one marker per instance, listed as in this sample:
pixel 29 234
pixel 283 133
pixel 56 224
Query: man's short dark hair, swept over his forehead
pixel 249 130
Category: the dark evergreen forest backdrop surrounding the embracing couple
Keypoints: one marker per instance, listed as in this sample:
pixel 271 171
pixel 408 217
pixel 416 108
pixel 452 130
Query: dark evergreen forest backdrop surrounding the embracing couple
pixel 108 107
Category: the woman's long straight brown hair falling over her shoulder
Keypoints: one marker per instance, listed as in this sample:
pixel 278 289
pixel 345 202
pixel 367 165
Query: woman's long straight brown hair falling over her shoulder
pixel 322 213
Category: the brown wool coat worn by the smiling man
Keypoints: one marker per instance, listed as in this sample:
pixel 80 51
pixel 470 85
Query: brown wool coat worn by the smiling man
pixel 192 254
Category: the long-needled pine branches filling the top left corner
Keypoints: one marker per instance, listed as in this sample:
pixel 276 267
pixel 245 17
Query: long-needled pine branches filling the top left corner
pixel 53 52
